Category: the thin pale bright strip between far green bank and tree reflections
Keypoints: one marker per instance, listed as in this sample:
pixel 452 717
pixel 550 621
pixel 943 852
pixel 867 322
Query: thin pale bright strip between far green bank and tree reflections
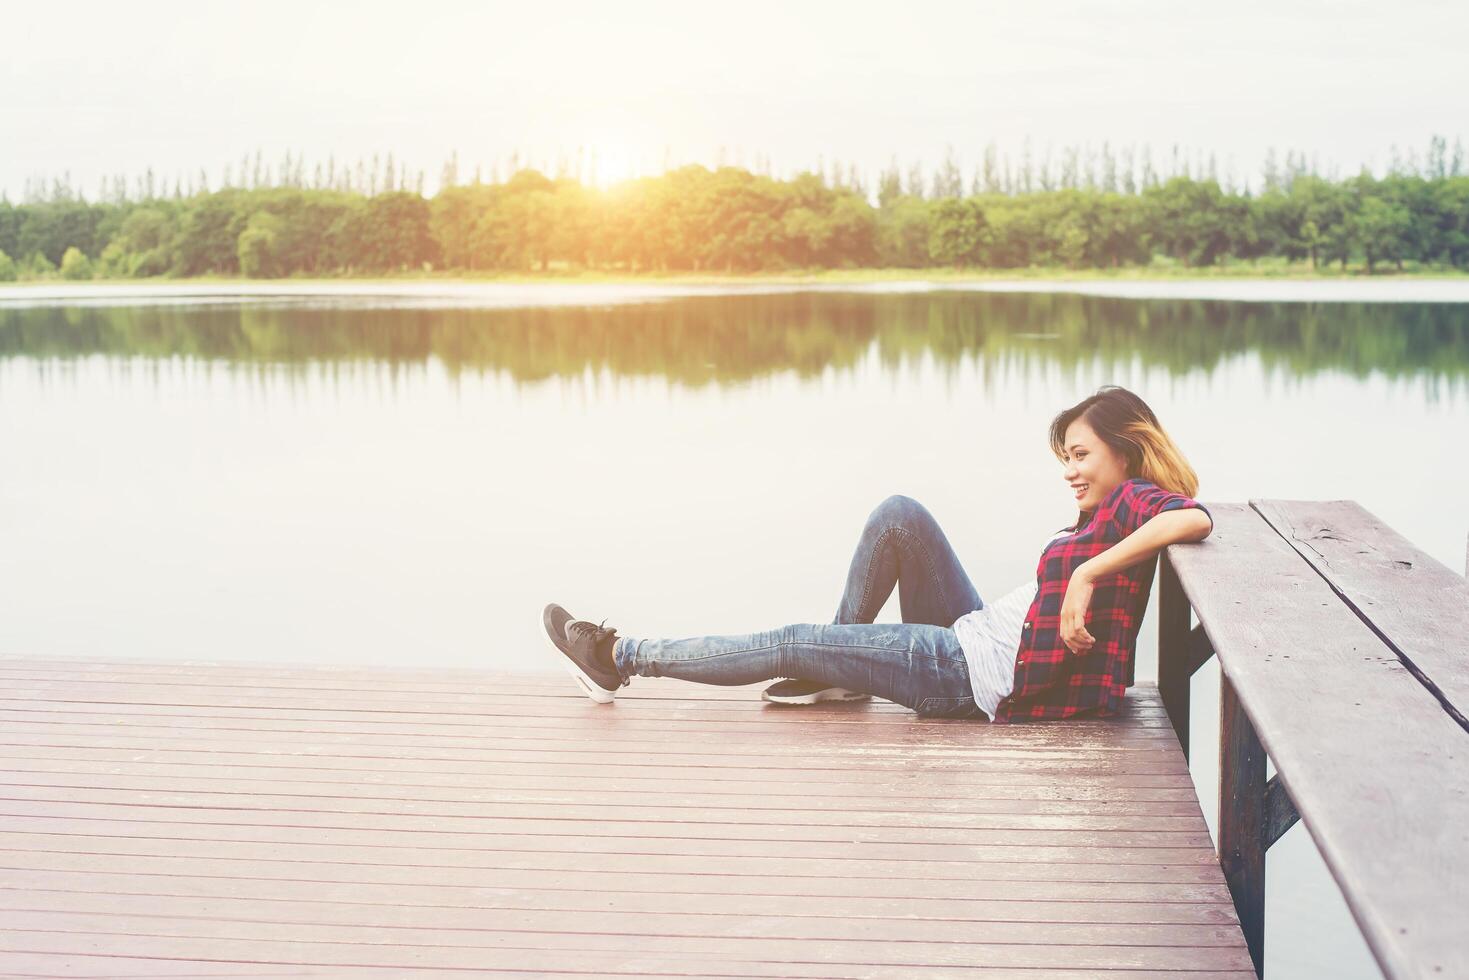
pixel 603 290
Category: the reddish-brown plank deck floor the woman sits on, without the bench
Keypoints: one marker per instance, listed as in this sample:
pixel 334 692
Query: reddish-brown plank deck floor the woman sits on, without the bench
pixel 237 821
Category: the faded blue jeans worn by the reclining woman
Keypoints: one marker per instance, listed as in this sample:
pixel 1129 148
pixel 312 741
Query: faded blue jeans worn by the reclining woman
pixel 917 663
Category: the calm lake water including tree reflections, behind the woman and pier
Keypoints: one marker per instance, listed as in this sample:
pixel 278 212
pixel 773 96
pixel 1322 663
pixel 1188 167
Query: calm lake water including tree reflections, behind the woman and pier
pixel 400 481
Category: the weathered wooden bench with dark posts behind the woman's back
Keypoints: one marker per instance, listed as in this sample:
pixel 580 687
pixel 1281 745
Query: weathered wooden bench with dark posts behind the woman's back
pixel 1345 659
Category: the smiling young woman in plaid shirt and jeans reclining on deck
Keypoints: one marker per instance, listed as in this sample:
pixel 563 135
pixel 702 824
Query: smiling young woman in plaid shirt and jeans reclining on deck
pixel 1050 649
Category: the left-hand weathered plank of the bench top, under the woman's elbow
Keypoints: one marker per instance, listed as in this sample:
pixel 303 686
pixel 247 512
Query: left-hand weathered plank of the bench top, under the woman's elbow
pixel 1373 762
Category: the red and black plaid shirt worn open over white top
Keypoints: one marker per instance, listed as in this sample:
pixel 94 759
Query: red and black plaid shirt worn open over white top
pixel 1051 682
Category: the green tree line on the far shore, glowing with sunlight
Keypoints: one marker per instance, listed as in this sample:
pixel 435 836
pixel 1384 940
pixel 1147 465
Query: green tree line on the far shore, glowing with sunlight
pixel 731 220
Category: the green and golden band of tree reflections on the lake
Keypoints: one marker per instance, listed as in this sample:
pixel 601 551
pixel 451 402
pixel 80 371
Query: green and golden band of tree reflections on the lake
pixel 728 340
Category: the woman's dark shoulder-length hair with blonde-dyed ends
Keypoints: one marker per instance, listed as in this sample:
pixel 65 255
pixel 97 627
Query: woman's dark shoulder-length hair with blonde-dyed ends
pixel 1130 428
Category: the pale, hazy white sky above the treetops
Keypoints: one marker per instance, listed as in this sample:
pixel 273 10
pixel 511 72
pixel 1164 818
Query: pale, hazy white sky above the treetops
pixel 112 89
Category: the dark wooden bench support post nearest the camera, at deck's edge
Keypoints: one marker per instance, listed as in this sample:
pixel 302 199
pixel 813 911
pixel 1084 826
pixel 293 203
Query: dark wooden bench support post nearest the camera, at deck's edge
pixel 1242 819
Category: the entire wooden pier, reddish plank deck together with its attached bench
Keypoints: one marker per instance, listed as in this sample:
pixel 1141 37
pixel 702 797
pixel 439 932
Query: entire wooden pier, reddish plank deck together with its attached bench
pixel 252 821
